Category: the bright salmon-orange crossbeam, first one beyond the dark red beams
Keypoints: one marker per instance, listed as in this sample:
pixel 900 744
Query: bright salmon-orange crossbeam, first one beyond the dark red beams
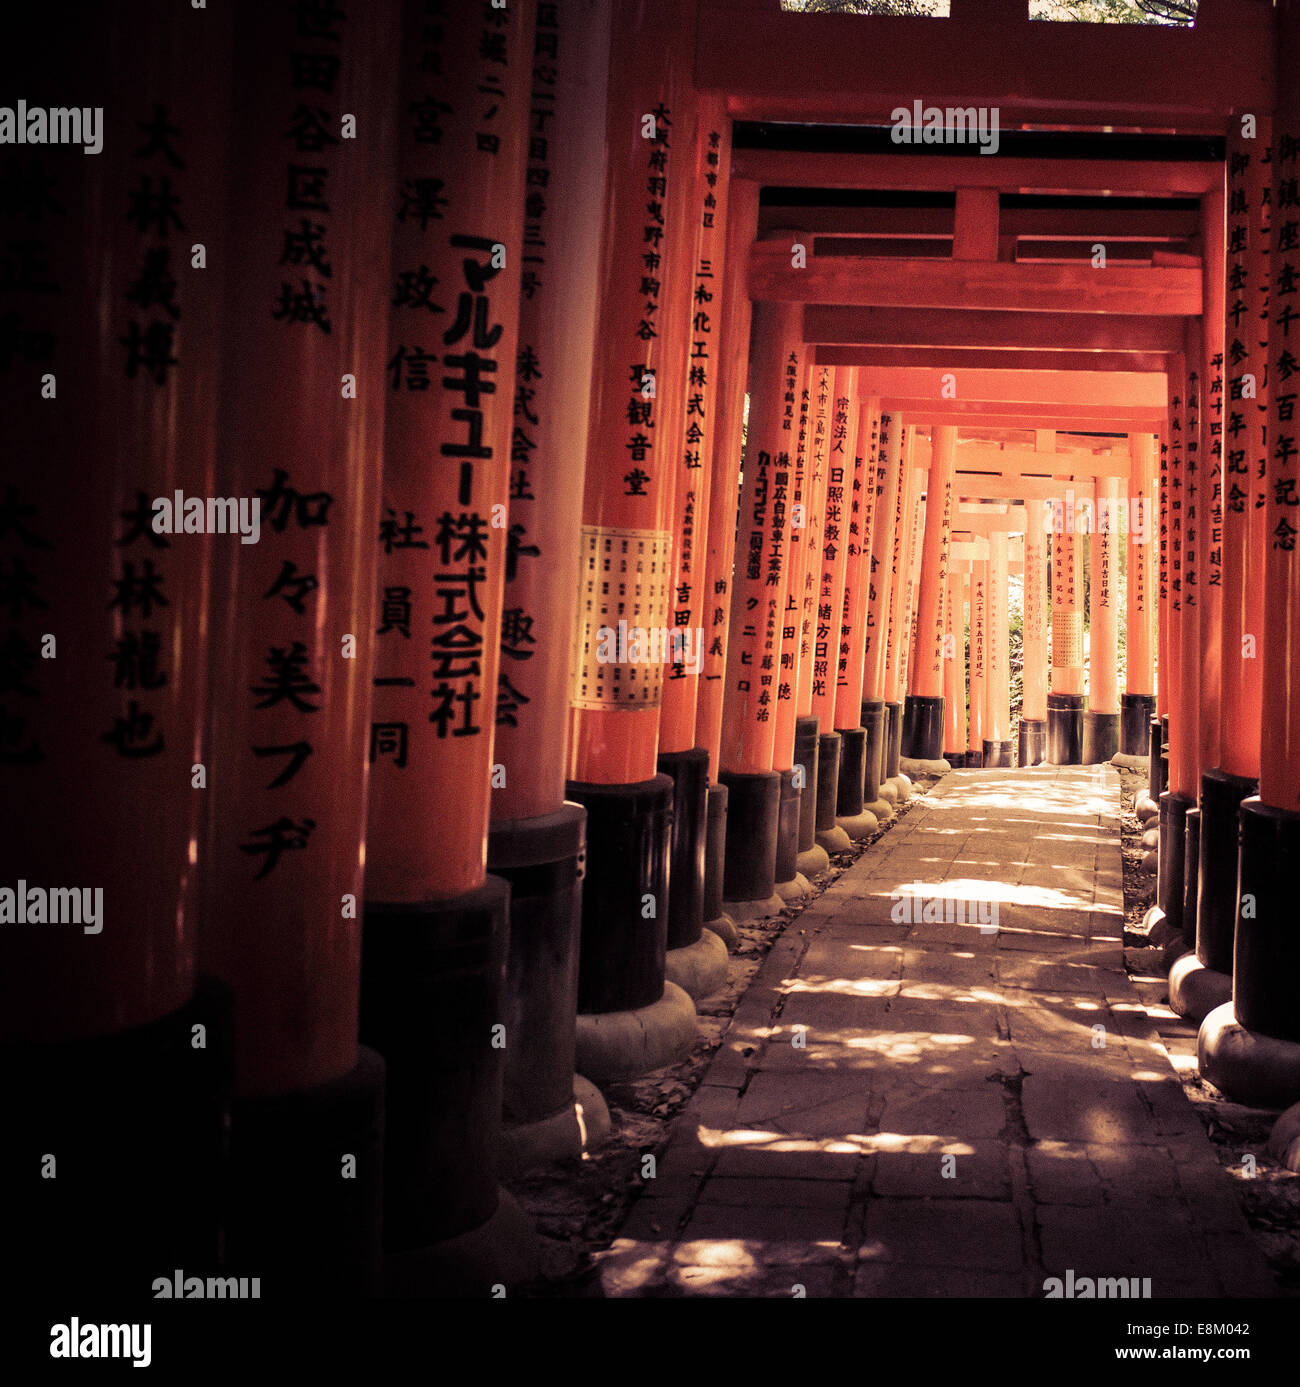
pixel 1050 388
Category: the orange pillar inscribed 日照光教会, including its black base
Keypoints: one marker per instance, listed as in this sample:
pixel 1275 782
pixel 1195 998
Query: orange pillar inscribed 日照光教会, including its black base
pixel 832 421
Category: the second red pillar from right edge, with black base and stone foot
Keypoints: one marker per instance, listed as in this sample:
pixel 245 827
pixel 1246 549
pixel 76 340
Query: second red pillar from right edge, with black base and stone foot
pixel 1202 981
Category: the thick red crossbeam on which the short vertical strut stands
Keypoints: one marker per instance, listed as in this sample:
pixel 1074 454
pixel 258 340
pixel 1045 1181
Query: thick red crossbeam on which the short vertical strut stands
pixel 982 286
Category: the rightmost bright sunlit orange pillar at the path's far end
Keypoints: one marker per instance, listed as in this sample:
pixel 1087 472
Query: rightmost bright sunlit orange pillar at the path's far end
pixel 1138 701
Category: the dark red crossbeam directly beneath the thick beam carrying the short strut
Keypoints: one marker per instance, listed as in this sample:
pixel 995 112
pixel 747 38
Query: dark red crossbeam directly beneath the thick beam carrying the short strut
pixel 844 327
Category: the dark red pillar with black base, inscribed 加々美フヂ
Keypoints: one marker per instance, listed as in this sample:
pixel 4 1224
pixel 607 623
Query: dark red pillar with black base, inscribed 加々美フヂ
pixel 310 227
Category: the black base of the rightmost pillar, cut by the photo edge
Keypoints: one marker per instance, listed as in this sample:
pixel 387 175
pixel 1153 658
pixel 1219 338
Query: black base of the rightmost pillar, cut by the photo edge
pixel 1266 979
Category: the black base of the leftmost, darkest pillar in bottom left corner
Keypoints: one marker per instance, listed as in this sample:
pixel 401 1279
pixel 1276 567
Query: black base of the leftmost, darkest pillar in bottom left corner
pixel 137 1127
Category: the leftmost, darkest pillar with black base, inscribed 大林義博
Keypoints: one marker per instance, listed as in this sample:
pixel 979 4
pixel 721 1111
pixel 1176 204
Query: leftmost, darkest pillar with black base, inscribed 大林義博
pixel 116 1060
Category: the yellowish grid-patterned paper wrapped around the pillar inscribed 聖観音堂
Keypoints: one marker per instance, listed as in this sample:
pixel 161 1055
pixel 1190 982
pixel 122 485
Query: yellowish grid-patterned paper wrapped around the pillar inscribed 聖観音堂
pixel 624 593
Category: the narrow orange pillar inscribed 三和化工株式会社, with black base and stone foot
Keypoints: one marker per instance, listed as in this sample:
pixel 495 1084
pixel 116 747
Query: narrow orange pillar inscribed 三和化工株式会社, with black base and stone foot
pixel 697 959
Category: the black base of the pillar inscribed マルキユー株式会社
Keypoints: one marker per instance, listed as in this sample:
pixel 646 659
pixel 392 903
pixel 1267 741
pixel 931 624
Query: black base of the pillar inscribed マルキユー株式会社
pixel 439 965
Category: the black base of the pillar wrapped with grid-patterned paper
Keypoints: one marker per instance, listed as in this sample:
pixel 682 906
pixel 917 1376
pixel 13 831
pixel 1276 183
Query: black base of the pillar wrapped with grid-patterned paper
pixel 629 845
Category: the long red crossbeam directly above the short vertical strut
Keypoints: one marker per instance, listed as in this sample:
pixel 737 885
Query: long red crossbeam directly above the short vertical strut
pixel 943 173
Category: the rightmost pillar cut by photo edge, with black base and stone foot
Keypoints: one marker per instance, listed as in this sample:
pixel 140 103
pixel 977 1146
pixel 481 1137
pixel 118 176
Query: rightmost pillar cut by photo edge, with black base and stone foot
pixel 1251 1048
